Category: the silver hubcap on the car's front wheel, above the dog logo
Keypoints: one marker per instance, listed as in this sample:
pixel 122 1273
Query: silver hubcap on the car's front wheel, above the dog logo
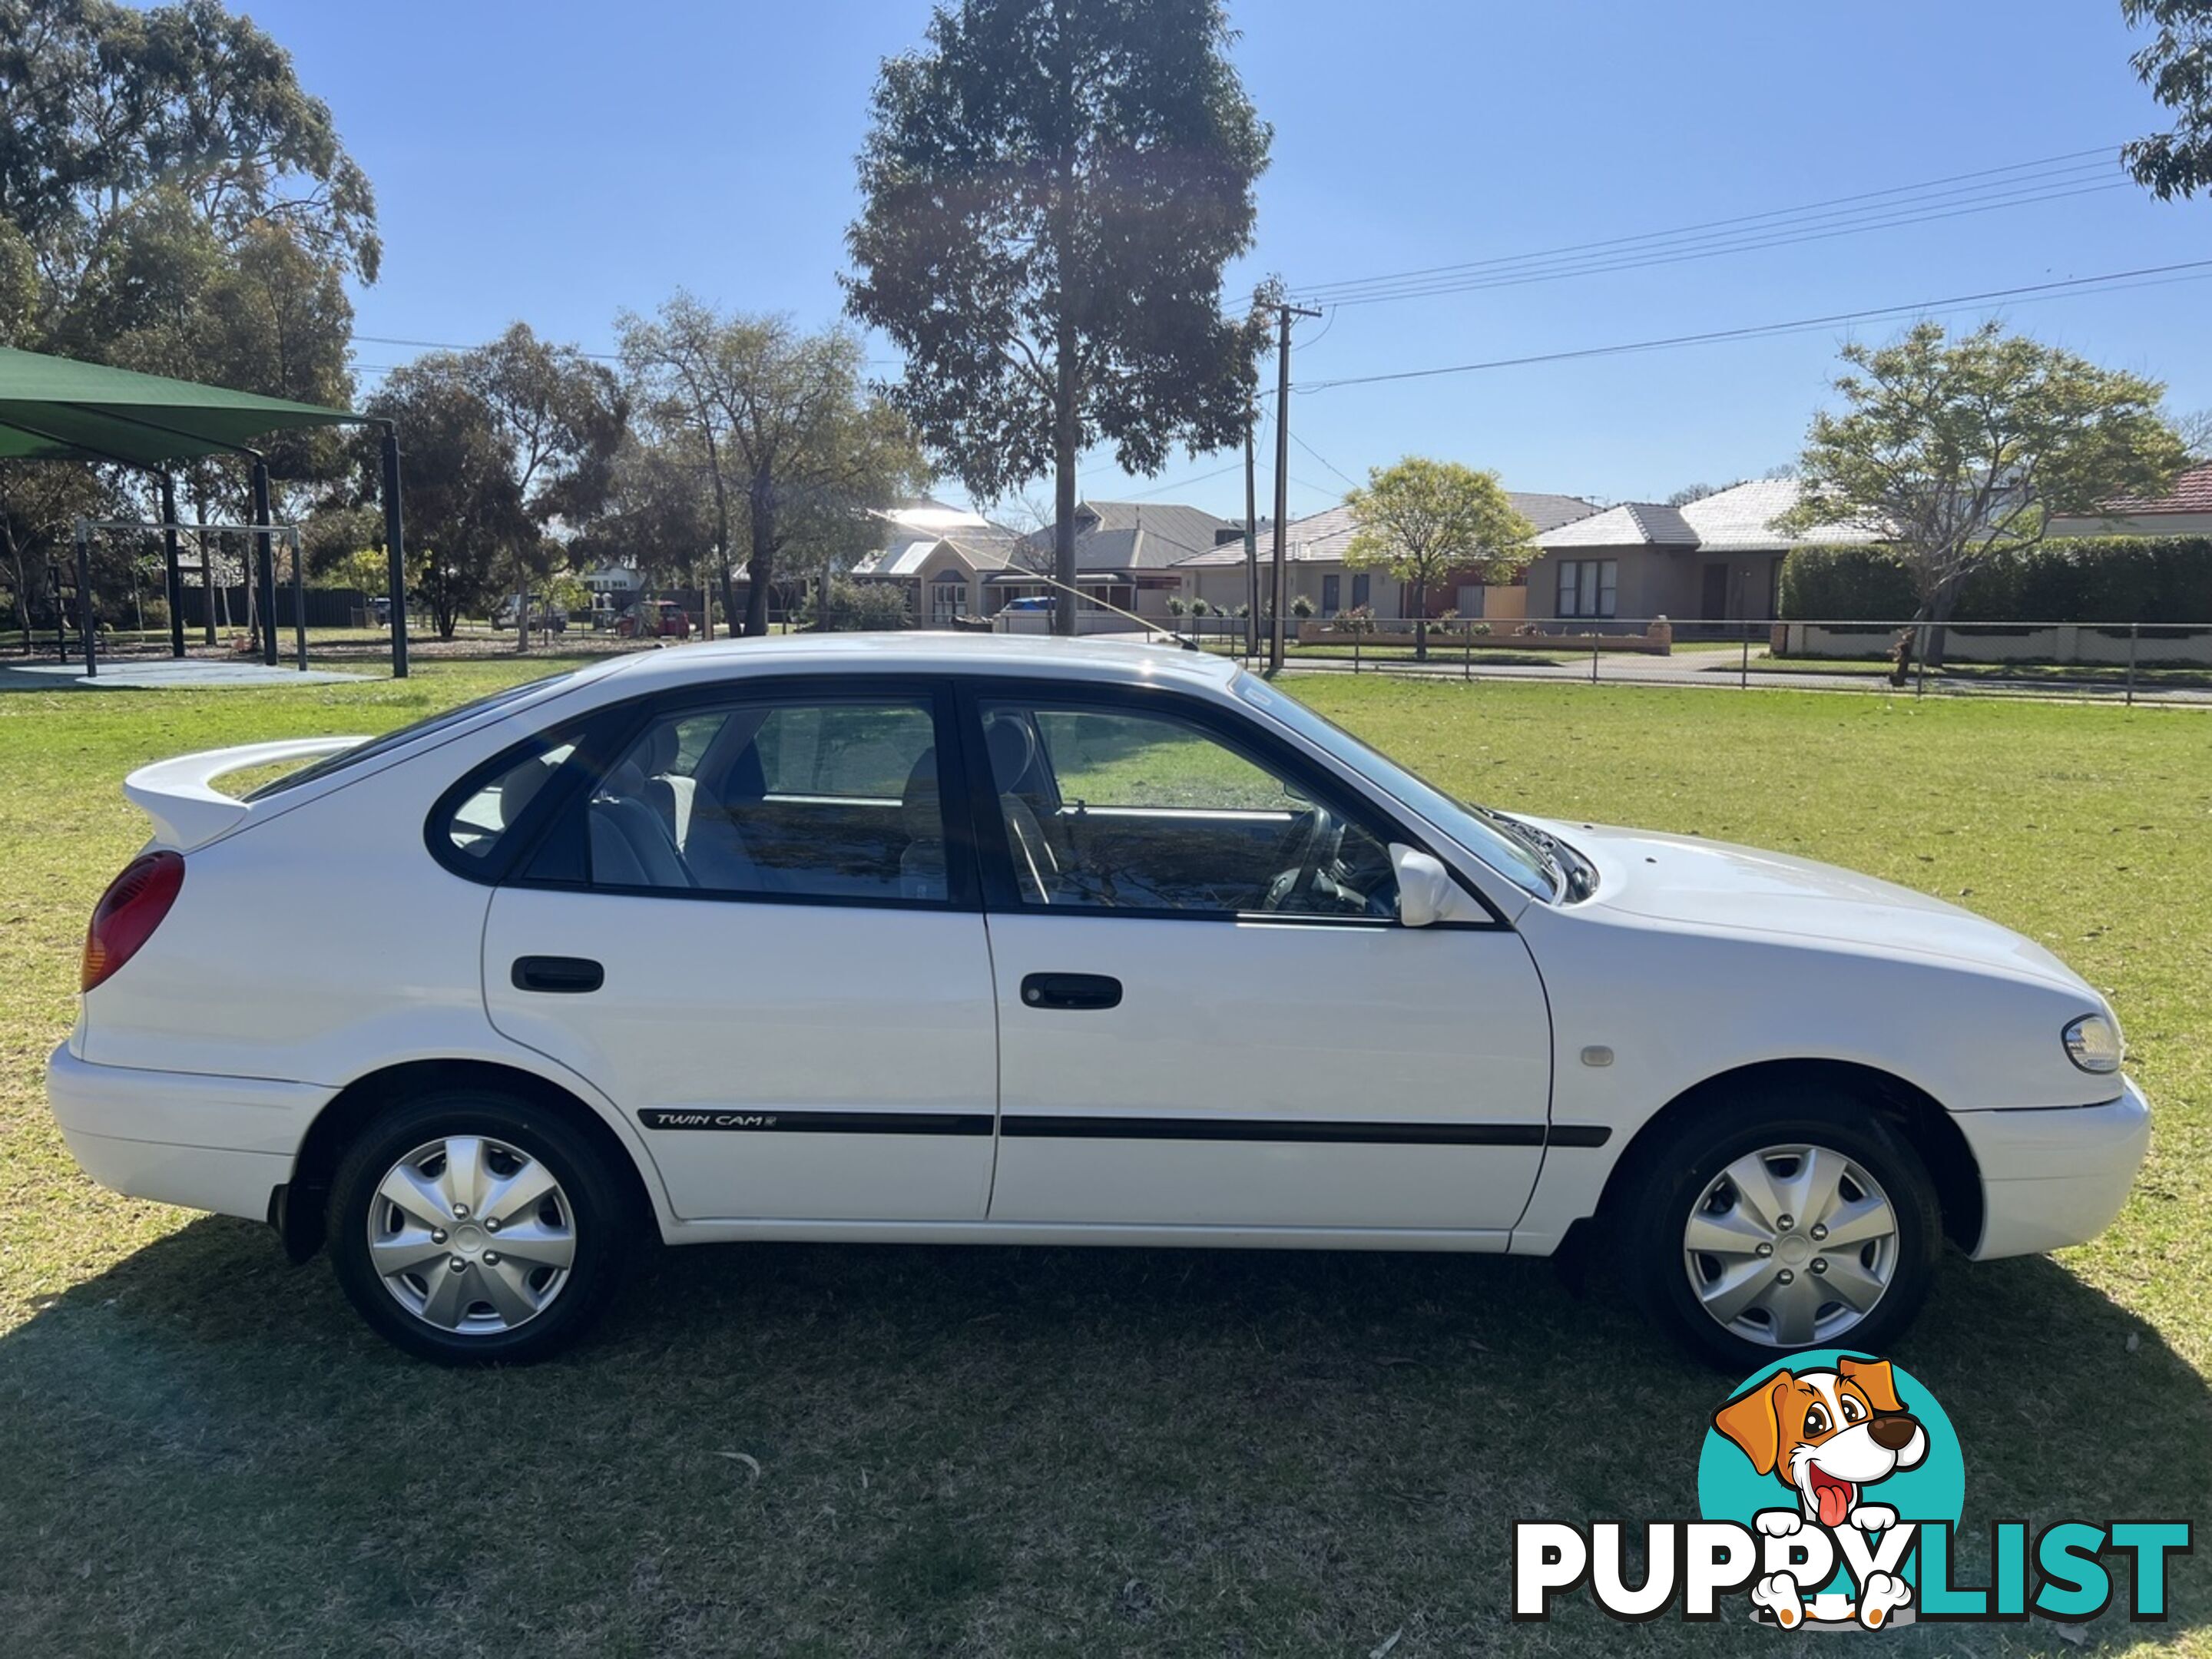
pixel 1791 1246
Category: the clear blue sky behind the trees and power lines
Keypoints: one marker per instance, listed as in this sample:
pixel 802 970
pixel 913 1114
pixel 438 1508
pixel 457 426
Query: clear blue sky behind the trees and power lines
pixel 561 163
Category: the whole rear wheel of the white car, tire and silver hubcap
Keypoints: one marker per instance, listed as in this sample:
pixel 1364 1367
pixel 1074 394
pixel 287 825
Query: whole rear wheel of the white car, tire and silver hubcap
pixel 479 1229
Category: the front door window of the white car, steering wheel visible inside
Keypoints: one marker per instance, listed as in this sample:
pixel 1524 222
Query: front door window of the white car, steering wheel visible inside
pixel 1142 813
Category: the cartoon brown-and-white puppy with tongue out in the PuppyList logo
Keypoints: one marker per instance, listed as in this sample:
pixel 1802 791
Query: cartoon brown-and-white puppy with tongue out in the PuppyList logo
pixel 1828 1437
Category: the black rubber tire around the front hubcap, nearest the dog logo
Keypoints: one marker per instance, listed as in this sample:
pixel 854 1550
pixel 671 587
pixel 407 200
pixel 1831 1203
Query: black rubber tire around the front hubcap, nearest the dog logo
pixel 1676 1171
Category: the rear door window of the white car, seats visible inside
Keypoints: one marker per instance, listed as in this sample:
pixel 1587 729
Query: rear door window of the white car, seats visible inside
pixel 780 800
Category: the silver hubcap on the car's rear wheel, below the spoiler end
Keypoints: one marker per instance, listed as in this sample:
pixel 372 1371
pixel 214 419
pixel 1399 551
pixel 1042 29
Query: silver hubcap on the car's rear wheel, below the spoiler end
pixel 472 1235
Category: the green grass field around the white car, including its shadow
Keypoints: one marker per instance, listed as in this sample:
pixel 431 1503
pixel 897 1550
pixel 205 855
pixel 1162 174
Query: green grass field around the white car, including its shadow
pixel 1043 1452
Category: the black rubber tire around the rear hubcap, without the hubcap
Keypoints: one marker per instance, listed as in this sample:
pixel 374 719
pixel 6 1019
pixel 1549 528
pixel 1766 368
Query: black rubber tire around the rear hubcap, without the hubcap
pixel 603 1215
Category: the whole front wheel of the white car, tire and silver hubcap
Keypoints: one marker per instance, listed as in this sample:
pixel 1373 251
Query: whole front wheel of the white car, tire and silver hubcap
pixel 1782 1222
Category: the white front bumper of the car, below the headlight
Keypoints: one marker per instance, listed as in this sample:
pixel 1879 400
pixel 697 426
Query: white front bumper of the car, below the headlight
pixel 2056 1178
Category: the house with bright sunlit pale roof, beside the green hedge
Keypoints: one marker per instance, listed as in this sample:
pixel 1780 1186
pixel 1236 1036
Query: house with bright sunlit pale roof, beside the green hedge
pixel 1711 561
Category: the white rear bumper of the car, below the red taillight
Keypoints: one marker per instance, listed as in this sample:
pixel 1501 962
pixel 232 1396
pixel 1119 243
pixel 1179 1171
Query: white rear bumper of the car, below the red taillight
pixel 182 1138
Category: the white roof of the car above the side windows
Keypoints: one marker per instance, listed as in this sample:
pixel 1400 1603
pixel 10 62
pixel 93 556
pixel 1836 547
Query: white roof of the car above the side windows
pixel 924 654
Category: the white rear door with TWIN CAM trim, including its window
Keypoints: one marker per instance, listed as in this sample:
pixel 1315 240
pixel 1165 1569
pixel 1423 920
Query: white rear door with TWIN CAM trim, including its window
pixel 753 939
